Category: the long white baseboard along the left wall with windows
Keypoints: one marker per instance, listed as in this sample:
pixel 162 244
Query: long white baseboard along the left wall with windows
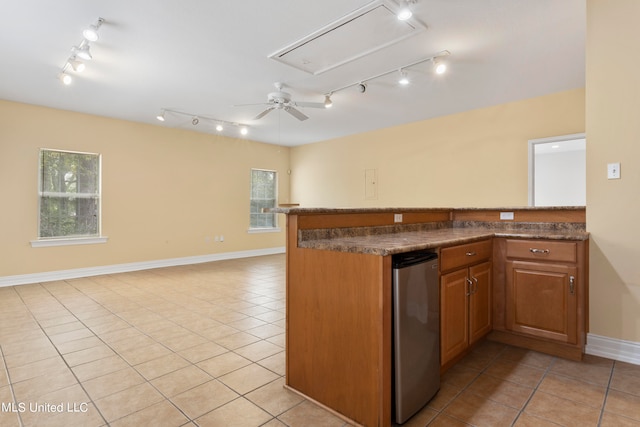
pixel 49 276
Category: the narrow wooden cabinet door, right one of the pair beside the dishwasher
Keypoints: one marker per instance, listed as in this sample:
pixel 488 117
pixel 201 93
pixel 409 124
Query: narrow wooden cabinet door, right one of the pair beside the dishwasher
pixel 479 301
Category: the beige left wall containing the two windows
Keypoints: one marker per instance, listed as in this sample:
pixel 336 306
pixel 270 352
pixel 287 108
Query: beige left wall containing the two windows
pixel 164 190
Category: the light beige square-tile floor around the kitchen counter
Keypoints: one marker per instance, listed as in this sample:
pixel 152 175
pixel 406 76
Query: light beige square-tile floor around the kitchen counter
pixel 203 345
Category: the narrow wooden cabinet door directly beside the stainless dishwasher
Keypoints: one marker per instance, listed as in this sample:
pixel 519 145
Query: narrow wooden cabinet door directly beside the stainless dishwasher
pixel 454 332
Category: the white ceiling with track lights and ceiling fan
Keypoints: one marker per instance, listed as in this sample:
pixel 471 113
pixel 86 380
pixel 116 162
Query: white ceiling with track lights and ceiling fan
pixel 205 57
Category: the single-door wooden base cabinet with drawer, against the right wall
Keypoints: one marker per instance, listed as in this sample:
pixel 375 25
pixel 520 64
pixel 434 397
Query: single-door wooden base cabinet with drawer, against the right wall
pixel 544 295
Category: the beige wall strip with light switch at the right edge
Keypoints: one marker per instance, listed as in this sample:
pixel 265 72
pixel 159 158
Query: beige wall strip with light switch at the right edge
pixel 613 135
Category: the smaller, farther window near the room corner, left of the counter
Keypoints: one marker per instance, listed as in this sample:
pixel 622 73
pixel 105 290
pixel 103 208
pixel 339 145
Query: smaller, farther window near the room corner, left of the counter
pixel 264 192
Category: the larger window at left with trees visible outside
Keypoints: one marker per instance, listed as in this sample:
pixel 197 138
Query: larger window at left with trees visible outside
pixel 69 194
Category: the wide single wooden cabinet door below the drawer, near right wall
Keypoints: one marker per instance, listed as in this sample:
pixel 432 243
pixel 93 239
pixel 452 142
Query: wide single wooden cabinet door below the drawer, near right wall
pixel 542 300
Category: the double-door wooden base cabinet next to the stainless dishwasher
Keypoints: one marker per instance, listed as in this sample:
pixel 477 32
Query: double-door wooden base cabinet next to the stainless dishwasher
pixel 465 297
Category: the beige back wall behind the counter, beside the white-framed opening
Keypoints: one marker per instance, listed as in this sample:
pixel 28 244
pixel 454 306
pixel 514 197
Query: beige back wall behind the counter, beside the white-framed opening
pixel 476 158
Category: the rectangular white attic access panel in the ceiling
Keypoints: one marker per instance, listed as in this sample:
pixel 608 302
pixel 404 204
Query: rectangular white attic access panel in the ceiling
pixel 360 33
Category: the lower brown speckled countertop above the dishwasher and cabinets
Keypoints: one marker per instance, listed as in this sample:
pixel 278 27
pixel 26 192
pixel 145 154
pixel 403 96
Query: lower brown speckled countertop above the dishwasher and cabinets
pixel 406 241
